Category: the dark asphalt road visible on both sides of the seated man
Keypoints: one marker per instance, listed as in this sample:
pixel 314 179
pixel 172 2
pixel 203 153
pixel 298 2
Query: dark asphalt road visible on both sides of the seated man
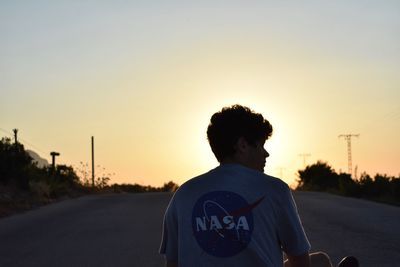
pixel 125 229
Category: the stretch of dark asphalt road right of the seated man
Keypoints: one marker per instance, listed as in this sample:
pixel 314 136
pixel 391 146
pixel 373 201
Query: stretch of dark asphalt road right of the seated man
pixel 347 226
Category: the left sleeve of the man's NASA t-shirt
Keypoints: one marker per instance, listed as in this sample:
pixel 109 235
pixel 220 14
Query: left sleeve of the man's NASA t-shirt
pixel 169 242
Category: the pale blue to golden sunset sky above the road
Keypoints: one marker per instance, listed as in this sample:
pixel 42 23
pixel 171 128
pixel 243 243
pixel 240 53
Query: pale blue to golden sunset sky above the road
pixel 144 78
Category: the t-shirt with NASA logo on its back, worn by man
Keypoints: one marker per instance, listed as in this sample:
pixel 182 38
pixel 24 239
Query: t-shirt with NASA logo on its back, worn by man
pixel 232 216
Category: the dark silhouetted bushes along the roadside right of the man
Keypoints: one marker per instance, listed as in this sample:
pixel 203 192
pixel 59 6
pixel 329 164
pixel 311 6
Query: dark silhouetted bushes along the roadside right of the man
pixel 321 177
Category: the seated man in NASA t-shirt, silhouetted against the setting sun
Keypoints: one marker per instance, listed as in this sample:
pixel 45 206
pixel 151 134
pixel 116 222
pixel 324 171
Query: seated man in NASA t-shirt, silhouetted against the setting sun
pixel 235 215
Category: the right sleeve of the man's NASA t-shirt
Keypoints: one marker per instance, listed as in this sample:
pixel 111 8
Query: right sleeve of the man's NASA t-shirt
pixel 291 233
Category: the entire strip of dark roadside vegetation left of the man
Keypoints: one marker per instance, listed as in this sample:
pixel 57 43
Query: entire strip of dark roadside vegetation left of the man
pixel 24 185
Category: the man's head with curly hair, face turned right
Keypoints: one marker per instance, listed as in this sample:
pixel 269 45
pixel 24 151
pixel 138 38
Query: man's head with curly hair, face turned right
pixel 237 134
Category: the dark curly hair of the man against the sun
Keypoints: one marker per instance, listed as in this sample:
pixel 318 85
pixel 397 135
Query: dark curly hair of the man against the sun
pixel 232 123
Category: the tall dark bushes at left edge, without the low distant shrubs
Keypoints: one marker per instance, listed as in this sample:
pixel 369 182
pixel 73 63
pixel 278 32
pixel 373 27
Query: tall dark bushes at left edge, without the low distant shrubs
pixel 24 185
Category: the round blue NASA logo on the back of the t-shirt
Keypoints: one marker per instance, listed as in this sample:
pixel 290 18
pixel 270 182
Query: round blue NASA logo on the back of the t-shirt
pixel 222 223
